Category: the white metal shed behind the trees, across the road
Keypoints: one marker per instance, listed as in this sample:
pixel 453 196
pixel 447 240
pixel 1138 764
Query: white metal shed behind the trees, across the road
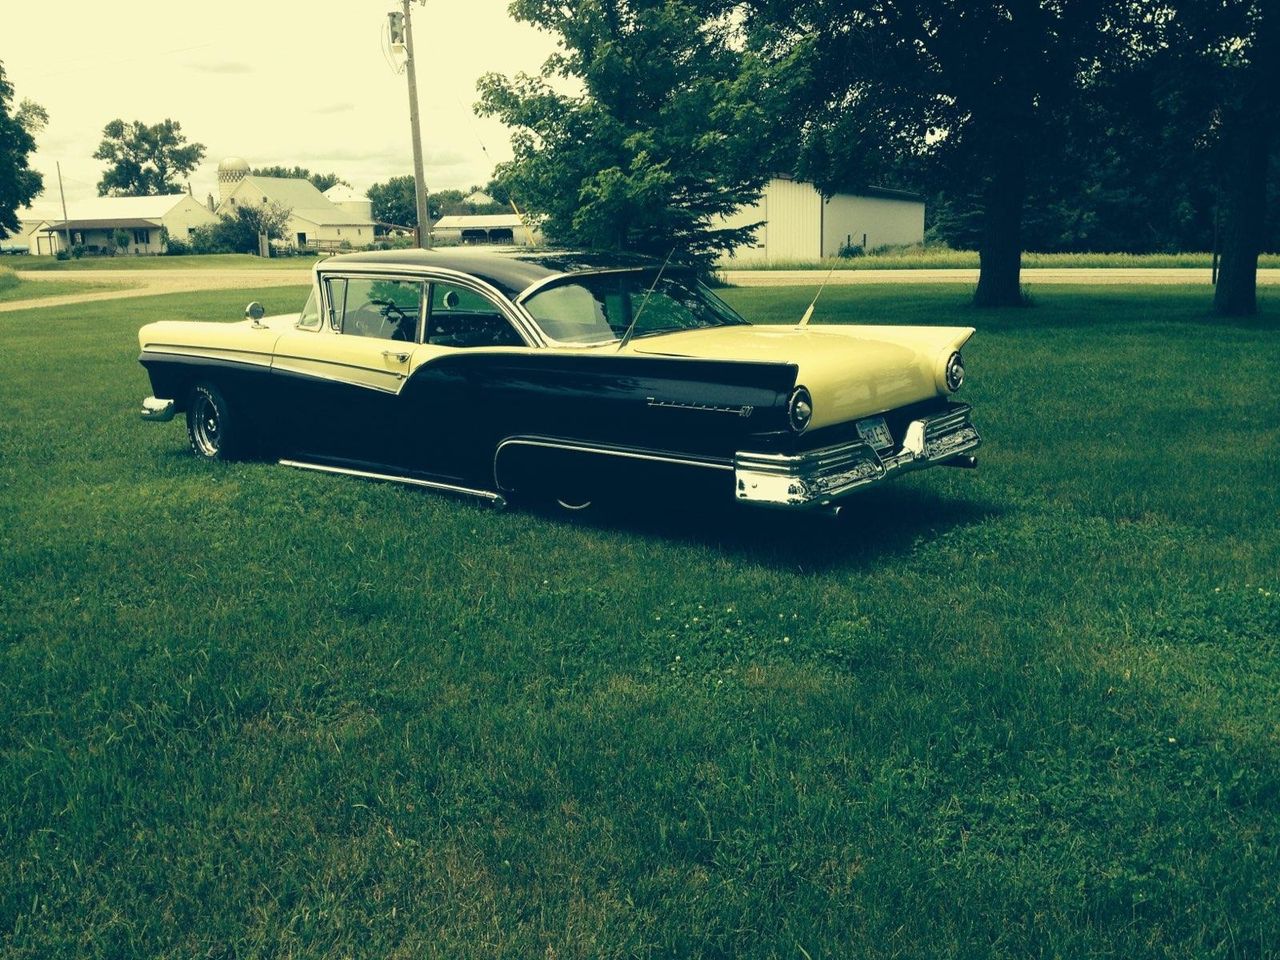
pixel 798 223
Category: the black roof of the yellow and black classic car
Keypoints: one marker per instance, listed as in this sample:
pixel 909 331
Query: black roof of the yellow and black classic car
pixel 511 271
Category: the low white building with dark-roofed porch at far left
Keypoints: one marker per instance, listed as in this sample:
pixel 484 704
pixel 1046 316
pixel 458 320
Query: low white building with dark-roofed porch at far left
pixel 94 225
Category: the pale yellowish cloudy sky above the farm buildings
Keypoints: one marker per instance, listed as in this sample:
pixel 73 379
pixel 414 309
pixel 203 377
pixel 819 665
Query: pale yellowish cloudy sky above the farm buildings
pixel 291 83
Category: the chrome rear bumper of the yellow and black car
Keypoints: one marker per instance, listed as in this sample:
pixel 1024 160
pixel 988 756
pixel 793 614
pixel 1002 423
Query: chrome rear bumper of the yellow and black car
pixel 819 478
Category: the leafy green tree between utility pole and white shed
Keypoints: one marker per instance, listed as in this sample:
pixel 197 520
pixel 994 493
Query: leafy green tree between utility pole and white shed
pixel 669 134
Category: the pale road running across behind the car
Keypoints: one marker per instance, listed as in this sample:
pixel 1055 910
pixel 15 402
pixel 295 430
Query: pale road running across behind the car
pixel 147 284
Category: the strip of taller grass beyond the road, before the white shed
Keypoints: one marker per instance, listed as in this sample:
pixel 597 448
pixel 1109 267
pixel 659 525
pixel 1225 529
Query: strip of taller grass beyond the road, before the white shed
pixel 941 258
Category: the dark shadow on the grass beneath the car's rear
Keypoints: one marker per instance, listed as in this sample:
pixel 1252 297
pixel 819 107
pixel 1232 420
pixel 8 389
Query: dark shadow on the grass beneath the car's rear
pixel 872 527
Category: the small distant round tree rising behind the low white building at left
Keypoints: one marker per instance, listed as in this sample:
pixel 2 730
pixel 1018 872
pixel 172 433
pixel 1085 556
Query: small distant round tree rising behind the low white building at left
pixel 145 161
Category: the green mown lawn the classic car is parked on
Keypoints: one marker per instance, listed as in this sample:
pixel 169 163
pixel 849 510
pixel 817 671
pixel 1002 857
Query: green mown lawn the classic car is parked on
pixel 1028 711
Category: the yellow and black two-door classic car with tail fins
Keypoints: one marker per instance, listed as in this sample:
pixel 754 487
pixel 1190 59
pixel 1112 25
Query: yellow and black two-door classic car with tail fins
pixel 563 376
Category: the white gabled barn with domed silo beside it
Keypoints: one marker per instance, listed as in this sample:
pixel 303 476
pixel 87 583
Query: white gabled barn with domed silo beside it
pixel 316 222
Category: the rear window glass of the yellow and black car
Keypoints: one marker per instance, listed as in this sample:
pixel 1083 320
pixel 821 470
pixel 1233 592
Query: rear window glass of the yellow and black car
pixel 600 308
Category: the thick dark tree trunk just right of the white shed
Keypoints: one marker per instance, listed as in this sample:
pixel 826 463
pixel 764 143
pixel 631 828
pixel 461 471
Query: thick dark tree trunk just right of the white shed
pixel 1002 253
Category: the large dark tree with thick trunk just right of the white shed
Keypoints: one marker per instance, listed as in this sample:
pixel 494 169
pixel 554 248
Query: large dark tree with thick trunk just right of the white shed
pixel 981 92
